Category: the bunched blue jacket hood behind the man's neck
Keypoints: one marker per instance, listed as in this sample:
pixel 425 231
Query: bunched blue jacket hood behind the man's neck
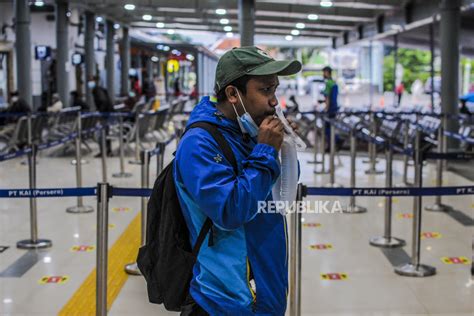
pixel 206 111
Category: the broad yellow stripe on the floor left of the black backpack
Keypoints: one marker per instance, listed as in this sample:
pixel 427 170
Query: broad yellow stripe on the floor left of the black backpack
pixel 124 251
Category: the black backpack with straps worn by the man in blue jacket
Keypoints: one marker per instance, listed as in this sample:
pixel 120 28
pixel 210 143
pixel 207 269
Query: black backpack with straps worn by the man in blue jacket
pixel 167 259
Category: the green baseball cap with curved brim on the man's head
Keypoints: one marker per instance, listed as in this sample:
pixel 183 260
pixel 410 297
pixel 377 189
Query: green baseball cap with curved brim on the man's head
pixel 250 60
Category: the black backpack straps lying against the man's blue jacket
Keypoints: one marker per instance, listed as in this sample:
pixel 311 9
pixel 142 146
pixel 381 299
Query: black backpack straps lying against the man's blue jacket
pixel 229 155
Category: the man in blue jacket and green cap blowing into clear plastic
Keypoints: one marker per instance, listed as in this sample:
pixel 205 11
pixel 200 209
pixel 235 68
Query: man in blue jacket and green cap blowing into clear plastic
pixel 245 270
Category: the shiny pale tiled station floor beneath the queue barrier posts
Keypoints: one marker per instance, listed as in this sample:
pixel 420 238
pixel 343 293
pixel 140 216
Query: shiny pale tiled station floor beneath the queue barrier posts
pixel 342 274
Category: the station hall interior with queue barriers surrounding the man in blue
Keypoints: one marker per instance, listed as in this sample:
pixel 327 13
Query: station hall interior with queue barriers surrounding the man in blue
pixel 388 179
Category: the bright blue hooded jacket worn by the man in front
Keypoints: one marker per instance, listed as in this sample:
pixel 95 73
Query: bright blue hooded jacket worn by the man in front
pixel 244 239
